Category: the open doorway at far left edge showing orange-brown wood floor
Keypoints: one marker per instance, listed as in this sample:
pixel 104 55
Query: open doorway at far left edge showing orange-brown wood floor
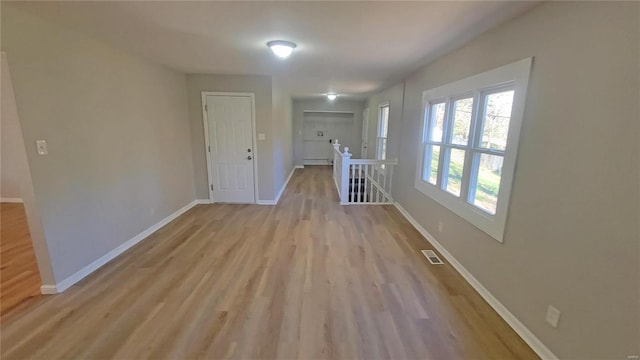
pixel 20 231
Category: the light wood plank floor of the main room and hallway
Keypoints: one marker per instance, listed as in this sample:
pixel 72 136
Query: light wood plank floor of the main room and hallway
pixel 305 279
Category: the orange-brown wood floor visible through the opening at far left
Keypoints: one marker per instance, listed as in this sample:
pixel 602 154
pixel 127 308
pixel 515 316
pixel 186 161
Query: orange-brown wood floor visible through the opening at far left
pixel 19 275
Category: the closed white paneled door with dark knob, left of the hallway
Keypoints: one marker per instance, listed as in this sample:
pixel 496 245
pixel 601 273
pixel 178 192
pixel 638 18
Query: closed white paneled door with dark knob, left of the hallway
pixel 231 152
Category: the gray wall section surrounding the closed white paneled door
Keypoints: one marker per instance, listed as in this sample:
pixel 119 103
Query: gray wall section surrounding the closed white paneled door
pixel 261 86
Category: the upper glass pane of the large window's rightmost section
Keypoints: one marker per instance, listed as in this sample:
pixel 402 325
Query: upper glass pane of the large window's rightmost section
pixel 496 116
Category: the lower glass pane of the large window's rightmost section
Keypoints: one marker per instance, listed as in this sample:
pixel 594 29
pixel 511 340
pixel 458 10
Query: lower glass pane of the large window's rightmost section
pixel 487 184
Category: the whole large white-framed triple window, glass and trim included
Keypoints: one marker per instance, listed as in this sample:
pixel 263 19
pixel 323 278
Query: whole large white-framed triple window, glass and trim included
pixel 469 143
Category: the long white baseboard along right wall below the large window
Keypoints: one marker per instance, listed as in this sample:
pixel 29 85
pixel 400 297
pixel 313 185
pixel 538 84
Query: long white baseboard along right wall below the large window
pixel 526 334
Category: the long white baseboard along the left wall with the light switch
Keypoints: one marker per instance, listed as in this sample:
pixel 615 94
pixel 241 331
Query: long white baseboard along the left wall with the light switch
pixel 81 274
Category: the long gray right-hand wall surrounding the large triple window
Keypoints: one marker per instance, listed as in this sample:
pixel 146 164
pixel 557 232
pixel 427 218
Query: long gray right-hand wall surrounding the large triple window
pixel 572 233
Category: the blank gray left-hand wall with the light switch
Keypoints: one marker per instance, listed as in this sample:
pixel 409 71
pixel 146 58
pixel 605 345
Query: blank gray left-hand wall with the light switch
pixel 118 135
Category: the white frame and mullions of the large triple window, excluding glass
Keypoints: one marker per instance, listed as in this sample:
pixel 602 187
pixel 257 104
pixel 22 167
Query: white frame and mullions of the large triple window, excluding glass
pixel 512 76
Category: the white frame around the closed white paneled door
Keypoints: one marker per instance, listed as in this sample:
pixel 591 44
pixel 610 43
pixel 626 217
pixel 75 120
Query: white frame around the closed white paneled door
pixel 205 119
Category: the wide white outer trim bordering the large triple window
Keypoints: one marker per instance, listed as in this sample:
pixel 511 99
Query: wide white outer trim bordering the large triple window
pixel 516 74
